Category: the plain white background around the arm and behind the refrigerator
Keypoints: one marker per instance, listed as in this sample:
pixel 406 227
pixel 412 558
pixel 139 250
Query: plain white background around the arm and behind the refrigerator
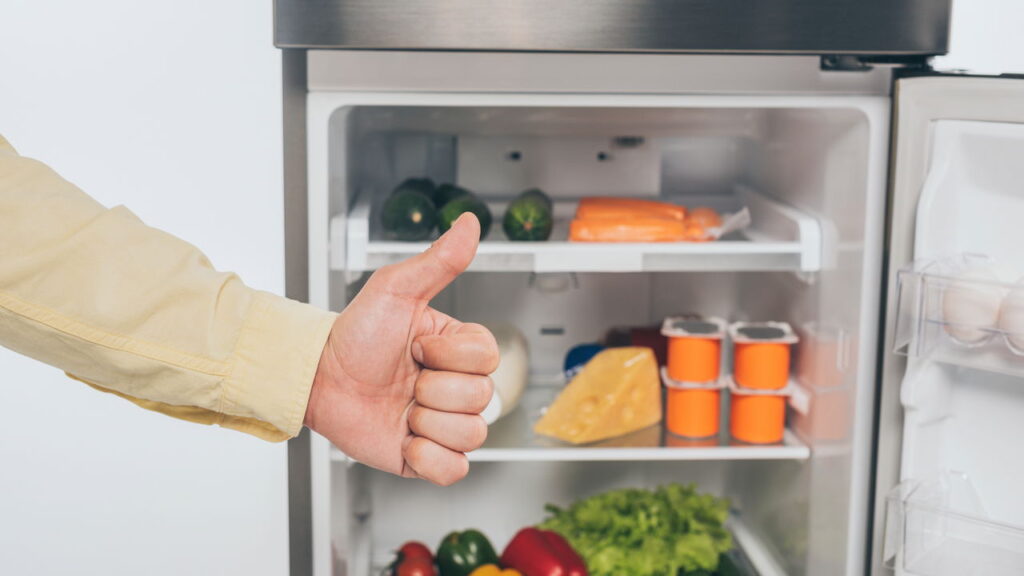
pixel 174 109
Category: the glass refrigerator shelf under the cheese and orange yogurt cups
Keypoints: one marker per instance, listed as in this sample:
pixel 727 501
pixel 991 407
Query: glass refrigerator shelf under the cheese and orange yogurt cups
pixel 513 440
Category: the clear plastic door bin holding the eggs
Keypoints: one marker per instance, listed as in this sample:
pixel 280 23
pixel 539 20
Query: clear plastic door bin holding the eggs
pixel 958 311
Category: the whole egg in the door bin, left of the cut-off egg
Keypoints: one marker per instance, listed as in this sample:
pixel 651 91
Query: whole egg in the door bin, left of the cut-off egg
pixel 971 306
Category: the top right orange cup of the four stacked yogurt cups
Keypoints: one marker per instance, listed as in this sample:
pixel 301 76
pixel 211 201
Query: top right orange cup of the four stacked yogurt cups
pixel 761 354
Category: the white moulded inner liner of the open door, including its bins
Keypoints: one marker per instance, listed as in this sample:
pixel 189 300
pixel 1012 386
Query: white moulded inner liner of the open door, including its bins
pixel 962 312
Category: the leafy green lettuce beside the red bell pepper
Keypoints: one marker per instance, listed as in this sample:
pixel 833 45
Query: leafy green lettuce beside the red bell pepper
pixel 671 530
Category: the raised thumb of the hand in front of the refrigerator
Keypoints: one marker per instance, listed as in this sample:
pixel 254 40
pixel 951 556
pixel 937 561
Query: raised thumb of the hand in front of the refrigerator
pixel 425 275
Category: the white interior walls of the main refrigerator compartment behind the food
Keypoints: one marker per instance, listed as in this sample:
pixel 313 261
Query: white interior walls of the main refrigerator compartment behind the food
pixel 822 160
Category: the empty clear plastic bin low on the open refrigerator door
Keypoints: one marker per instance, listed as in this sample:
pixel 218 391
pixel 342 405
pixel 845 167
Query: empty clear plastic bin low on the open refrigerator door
pixel 941 528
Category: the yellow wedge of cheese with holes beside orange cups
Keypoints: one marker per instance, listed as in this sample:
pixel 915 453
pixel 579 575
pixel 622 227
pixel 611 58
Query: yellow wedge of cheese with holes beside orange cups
pixel 617 393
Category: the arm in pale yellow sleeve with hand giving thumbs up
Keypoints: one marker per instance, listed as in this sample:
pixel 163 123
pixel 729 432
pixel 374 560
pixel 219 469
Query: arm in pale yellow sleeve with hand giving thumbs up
pixel 136 312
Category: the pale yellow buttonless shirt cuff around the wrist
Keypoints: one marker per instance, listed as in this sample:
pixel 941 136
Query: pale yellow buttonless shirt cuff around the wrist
pixel 276 360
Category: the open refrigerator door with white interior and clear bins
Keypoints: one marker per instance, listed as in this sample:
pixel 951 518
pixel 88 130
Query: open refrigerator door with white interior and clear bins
pixel 955 372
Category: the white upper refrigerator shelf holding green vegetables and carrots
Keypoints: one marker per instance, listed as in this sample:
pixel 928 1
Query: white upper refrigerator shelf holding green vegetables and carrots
pixel 780 238
